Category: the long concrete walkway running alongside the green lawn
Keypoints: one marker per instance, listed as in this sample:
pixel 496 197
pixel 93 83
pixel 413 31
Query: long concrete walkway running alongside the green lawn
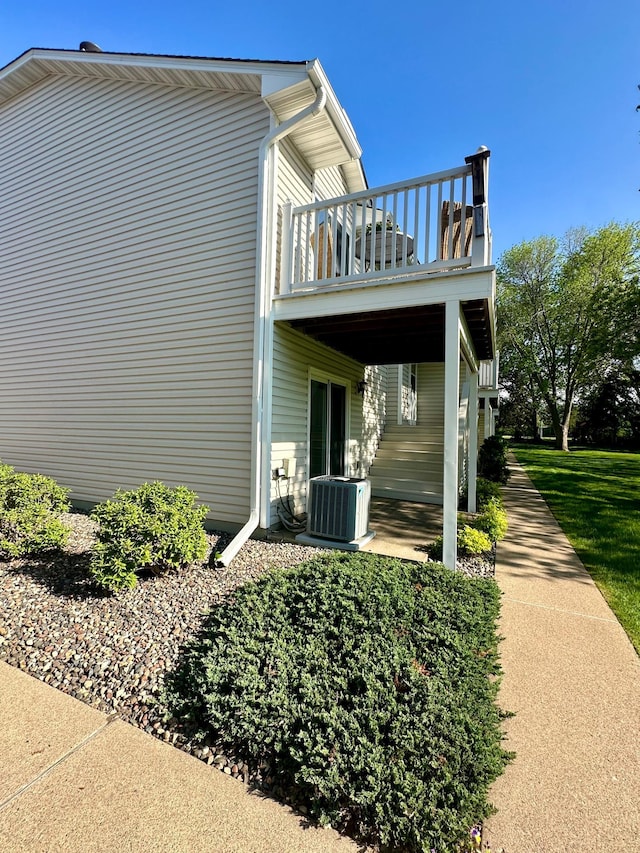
pixel 573 680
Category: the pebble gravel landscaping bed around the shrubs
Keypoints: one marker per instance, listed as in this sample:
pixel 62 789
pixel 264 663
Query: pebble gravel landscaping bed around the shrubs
pixel 113 650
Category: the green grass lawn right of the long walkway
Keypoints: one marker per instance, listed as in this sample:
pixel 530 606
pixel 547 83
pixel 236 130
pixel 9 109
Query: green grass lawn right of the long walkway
pixel 595 496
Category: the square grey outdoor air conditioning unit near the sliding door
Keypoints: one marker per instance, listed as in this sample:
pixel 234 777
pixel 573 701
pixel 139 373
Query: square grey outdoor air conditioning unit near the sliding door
pixel 338 508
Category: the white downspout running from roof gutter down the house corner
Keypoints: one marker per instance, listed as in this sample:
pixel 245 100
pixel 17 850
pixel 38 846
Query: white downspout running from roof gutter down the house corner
pixel 262 313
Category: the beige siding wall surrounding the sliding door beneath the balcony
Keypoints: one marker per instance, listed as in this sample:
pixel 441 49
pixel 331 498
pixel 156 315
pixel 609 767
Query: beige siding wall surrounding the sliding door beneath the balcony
pixel 294 356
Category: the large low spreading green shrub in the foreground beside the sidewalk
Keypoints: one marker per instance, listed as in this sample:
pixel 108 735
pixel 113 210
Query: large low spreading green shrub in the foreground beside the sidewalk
pixel 367 685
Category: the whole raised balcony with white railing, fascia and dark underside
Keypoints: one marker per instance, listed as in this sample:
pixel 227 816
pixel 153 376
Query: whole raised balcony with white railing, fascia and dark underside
pixel 369 274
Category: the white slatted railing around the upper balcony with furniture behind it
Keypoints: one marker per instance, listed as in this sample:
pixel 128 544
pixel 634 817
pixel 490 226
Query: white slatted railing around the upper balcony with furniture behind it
pixel 433 223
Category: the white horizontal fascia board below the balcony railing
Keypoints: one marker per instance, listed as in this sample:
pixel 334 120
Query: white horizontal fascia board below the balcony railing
pixel 351 299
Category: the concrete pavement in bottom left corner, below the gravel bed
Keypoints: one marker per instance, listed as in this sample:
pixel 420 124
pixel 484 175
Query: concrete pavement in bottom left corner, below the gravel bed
pixel 72 780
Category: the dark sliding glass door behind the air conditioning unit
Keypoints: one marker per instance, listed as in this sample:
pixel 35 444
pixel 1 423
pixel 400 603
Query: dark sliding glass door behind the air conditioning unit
pixel 327 428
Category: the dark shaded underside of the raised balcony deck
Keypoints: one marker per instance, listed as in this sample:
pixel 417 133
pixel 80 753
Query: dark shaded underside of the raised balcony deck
pixel 398 336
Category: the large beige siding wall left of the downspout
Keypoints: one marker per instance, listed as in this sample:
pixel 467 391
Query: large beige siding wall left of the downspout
pixel 127 268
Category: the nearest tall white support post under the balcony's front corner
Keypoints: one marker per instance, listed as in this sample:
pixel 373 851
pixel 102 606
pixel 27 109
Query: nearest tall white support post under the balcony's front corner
pixel 451 406
